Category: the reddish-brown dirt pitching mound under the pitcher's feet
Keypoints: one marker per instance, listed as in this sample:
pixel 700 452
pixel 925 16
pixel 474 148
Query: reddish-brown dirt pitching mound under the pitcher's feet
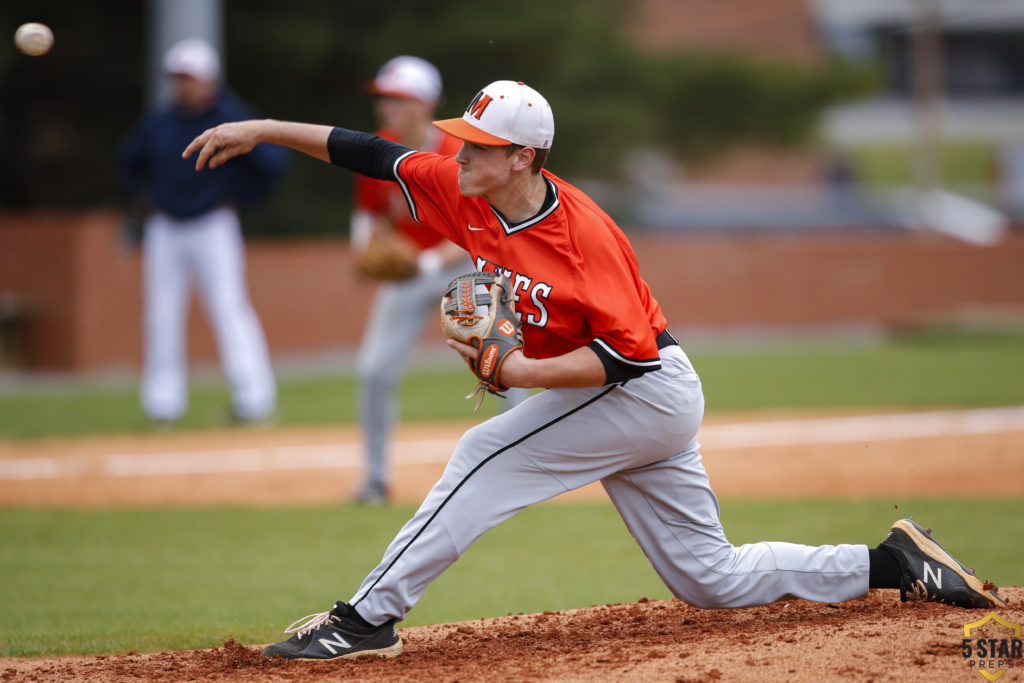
pixel 875 638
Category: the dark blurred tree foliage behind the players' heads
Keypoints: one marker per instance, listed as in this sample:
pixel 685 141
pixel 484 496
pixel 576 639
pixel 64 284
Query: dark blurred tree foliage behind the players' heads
pixel 65 115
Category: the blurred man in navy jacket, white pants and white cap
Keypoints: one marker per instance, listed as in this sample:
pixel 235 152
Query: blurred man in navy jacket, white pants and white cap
pixel 192 234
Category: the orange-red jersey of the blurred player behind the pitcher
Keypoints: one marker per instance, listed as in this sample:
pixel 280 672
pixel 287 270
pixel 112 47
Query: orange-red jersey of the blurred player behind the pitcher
pixel 386 199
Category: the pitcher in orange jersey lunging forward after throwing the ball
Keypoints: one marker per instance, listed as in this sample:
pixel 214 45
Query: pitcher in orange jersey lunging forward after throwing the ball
pixel 623 404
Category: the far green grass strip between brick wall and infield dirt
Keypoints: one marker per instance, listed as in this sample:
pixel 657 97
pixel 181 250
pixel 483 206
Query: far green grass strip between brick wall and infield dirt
pixel 947 369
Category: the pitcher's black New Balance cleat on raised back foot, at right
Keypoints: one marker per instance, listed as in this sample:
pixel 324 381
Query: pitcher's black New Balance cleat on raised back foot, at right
pixel 930 573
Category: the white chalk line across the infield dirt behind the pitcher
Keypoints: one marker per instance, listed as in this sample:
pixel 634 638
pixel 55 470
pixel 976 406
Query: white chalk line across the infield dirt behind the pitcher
pixel 338 456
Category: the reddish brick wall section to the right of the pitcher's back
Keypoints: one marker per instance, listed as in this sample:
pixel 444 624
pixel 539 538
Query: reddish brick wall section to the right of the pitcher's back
pixel 828 280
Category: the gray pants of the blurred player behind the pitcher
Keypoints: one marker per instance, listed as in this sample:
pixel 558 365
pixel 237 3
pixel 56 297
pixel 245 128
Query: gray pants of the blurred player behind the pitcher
pixel 399 316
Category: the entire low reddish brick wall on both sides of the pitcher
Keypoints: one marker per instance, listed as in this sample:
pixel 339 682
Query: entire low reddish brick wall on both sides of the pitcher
pixel 78 286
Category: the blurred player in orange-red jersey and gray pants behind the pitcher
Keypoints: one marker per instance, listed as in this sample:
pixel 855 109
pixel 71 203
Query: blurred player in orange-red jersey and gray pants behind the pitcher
pixel 406 92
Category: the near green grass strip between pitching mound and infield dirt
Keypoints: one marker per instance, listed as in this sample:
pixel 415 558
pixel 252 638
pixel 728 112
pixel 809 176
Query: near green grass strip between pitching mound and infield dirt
pixel 114 581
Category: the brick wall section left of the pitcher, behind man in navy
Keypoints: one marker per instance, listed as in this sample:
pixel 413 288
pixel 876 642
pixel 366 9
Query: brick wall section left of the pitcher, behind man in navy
pixel 79 288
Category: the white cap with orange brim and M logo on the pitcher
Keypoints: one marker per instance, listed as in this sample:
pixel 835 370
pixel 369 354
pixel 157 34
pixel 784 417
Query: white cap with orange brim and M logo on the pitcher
pixel 505 113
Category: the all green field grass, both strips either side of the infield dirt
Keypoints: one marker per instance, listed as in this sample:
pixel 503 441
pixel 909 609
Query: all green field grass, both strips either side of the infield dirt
pixel 113 581
